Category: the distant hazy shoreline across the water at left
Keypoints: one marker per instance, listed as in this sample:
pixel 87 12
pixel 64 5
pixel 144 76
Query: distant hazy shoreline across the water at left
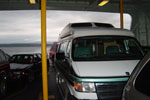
pixel 23 45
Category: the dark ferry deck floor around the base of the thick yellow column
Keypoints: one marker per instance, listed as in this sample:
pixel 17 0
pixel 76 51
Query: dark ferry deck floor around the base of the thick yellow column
pixel 18 90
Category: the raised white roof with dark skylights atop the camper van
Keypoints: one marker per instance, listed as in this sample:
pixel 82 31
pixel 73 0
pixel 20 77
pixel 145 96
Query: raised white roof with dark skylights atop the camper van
pixel 90 29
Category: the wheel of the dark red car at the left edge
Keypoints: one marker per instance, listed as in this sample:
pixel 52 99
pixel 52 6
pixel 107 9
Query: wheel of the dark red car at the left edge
pixel 3 87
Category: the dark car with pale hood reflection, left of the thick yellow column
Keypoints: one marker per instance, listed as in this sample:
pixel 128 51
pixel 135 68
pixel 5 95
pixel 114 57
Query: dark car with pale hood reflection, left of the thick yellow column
pixel 25 66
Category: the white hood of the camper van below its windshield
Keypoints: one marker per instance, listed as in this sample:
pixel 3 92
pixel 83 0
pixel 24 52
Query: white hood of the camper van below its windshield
pixel 104 68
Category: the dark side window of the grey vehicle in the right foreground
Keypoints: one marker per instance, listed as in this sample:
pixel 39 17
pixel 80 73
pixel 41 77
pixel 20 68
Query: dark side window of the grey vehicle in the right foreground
pixel 142 82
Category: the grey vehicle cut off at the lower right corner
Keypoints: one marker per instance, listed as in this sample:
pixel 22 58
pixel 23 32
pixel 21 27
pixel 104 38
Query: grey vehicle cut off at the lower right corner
pixel 138 86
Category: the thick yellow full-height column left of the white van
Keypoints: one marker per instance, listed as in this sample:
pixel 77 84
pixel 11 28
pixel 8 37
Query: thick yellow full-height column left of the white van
pixel 44 50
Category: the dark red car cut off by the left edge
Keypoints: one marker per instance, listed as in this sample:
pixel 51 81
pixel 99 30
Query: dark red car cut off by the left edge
pixel 4 72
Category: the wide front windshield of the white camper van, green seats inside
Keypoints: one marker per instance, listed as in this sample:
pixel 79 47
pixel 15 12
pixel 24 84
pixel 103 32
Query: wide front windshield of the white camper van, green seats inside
pixel 106 48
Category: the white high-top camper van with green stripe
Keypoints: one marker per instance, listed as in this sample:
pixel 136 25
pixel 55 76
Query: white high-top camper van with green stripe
pixel 94 61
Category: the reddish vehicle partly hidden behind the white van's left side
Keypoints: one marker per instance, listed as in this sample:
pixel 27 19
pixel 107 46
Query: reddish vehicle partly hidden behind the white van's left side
pixel 52 53
